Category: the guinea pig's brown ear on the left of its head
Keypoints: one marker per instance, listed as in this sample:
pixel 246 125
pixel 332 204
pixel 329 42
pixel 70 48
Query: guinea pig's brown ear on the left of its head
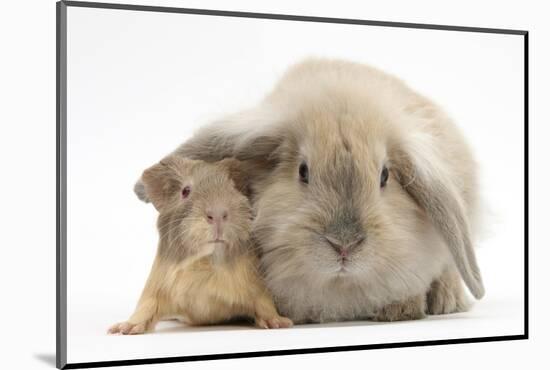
pixel 164 179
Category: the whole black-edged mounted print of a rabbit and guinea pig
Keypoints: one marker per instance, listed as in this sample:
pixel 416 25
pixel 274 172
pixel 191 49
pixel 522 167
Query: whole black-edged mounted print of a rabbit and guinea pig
pixel 241 184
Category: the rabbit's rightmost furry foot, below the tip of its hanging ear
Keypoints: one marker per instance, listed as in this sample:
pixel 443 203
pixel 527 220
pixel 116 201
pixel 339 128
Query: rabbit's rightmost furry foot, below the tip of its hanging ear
pixel 446 295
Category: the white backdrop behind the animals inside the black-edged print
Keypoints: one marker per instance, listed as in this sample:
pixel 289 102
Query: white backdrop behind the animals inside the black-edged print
pixel 142 82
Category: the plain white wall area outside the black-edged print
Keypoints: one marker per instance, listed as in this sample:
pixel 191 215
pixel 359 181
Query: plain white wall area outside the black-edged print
pixel 28 160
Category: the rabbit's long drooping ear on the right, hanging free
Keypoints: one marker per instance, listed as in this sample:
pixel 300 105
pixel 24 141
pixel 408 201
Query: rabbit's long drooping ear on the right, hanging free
pixel 429 183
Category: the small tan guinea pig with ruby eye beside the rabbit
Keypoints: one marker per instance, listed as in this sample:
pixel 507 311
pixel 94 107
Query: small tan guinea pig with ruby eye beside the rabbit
pixel 205 270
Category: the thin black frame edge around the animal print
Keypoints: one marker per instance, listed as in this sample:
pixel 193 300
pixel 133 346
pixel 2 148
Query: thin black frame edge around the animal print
pixel 61 184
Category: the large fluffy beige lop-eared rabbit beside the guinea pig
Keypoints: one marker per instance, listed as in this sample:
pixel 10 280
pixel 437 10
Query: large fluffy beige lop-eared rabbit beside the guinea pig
pixel 366 195
